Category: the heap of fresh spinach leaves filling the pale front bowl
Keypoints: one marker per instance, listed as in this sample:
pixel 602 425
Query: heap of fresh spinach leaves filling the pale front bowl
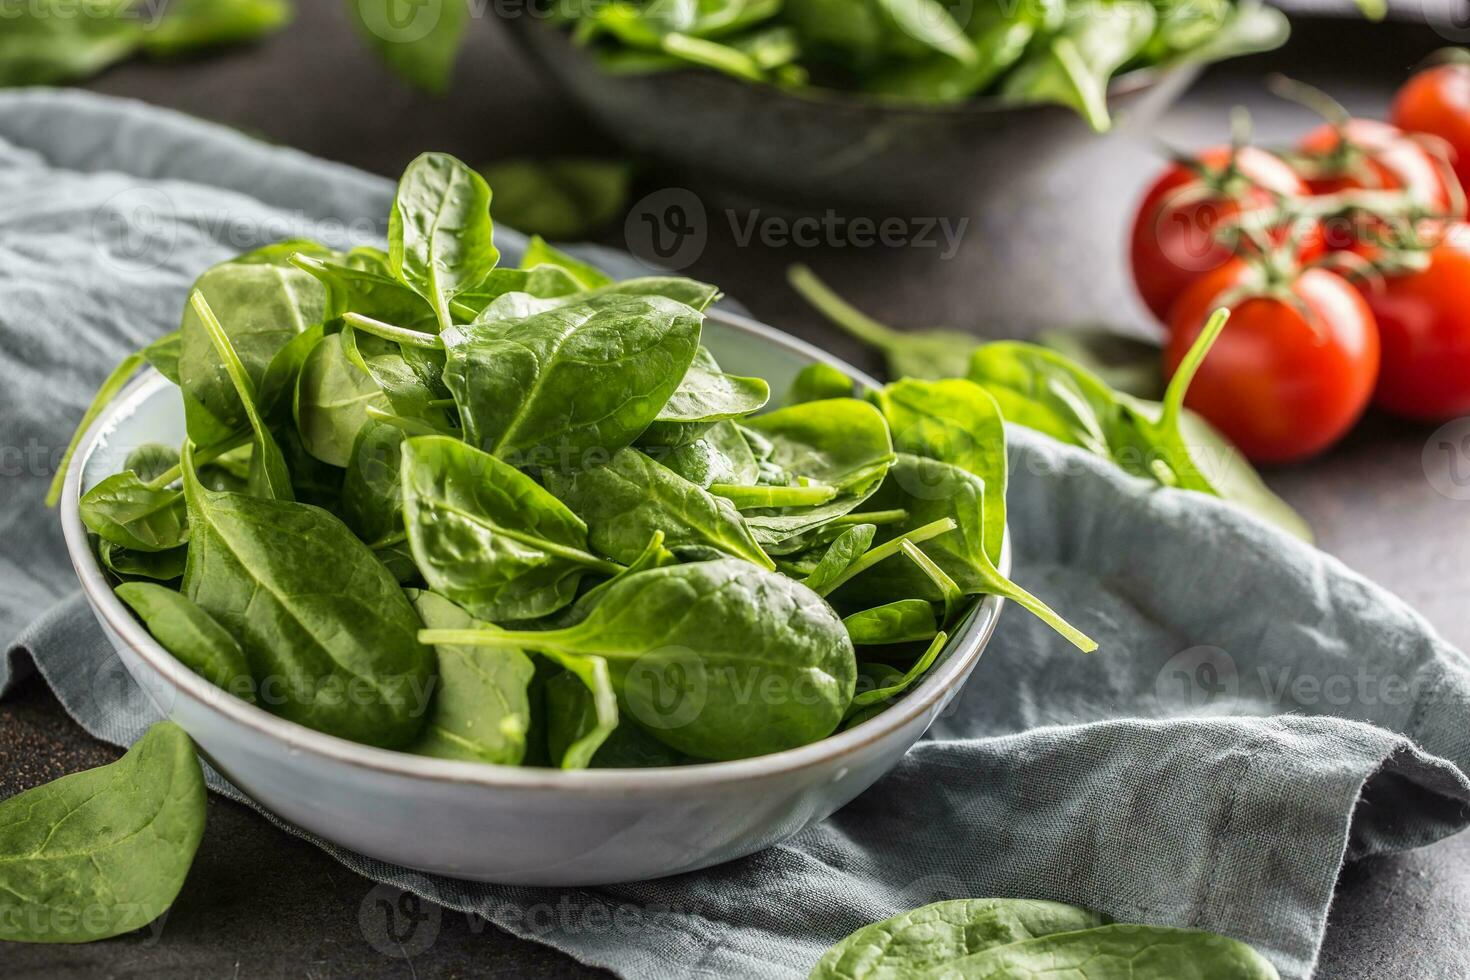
pixel 523 516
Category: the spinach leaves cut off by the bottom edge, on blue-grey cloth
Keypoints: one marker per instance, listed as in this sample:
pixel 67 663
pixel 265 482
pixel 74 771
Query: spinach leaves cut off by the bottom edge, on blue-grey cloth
pixel 1011 938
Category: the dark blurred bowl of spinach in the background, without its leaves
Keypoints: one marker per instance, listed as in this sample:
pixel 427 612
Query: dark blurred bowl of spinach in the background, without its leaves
pixel 818 149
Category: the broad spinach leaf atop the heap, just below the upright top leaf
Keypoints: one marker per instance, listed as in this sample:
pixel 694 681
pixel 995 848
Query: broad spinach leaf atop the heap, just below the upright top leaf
pixel 559 386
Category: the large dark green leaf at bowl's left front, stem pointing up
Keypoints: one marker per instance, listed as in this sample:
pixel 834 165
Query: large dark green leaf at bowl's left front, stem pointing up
pixel 336 655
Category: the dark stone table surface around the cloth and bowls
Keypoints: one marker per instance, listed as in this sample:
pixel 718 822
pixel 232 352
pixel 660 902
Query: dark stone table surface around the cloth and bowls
pixel 261 903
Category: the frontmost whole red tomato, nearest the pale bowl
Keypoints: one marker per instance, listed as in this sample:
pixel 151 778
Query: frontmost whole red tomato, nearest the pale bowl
pixel 1291 372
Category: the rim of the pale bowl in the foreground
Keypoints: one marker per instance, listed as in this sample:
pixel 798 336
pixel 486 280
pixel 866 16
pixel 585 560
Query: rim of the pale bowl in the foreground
pixel 968 643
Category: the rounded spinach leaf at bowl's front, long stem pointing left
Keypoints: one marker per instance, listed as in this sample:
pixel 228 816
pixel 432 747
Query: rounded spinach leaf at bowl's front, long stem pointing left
pixel 683 643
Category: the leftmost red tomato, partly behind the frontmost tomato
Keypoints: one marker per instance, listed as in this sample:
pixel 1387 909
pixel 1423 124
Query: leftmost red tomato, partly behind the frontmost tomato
pixel 1174 234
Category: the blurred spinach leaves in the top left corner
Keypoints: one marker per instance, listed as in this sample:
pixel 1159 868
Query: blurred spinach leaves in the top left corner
pixel 48 42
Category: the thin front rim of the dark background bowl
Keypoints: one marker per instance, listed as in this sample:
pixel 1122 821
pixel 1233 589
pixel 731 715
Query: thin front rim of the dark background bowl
pixel 1121 86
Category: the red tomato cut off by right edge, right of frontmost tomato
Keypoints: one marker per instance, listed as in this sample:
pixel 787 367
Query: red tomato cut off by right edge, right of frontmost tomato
pixel 1425 330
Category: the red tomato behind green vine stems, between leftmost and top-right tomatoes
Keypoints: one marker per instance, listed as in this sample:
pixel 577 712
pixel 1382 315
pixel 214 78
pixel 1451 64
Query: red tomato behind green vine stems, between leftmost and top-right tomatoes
pixel 1378 158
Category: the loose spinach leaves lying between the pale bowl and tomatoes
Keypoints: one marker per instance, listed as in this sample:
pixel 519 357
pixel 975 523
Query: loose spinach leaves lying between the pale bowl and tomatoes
pixel 1047 392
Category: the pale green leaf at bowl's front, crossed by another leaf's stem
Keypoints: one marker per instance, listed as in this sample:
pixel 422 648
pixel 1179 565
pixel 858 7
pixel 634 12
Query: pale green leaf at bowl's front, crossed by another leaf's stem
pixel 481 706
